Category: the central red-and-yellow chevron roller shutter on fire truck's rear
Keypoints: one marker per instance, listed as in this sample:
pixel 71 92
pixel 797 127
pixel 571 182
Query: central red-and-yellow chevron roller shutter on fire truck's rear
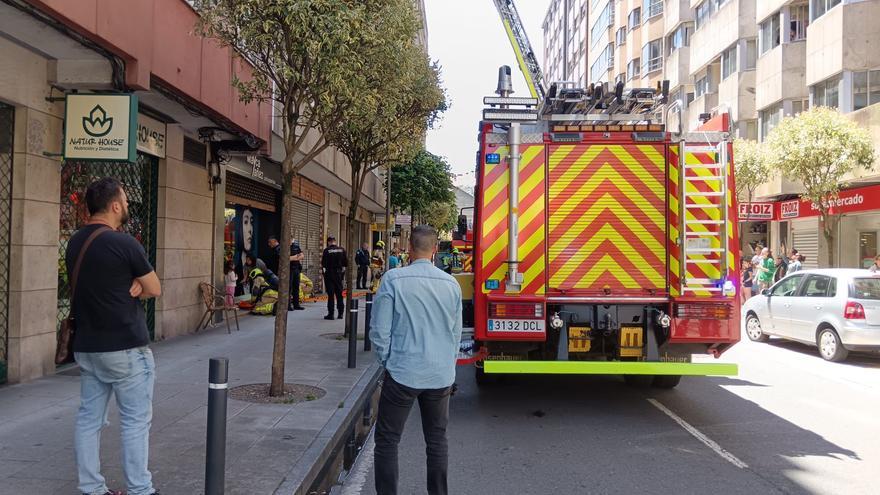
pixel 607 223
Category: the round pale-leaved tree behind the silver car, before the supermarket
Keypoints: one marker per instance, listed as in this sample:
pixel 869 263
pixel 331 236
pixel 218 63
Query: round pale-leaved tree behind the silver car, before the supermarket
pixel 818 148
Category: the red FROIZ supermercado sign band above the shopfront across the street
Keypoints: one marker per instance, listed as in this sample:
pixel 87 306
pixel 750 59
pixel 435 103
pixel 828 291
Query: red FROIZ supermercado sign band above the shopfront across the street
pixel 851 201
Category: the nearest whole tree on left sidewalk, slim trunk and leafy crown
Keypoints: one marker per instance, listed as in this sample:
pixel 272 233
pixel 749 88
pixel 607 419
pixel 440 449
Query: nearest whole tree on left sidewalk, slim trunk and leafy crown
pixel 301 52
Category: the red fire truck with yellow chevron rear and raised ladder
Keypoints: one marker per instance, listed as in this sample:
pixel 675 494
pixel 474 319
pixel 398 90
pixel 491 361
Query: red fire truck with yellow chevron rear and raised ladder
pixel 603 241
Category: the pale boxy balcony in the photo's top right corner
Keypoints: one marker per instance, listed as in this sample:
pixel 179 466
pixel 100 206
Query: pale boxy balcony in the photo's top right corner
pixel 844 38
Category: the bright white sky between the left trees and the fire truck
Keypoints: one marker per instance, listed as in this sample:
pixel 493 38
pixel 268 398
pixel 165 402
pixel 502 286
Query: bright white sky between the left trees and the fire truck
pixel 467 38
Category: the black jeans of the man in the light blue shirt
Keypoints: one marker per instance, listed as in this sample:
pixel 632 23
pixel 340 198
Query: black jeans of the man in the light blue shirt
pixel 394 406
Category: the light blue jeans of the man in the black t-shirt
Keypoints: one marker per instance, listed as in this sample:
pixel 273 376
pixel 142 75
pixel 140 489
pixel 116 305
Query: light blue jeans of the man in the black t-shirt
pixel 129 375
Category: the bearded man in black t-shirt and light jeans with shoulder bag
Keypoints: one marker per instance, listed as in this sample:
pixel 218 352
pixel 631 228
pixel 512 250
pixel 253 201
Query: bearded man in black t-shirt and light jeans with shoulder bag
pixel 111 339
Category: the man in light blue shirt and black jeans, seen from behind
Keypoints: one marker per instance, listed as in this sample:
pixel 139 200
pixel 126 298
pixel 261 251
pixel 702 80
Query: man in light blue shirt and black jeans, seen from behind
pixel 416 331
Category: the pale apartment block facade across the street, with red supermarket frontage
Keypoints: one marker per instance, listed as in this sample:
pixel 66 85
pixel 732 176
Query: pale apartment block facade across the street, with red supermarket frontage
pixel 756 61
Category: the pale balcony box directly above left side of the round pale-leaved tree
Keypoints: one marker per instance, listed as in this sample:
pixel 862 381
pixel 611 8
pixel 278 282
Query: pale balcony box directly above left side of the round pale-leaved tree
pixel 780 74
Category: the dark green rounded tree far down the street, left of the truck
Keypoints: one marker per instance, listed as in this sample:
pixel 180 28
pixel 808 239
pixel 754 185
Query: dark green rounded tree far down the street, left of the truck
pixel 420 182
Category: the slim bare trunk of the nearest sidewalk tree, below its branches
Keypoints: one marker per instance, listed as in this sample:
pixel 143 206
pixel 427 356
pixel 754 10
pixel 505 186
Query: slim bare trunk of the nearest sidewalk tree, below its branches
pixel 276 387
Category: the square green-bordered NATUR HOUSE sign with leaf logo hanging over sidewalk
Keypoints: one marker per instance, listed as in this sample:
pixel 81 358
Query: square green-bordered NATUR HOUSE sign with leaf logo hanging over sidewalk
pixel 100 127
